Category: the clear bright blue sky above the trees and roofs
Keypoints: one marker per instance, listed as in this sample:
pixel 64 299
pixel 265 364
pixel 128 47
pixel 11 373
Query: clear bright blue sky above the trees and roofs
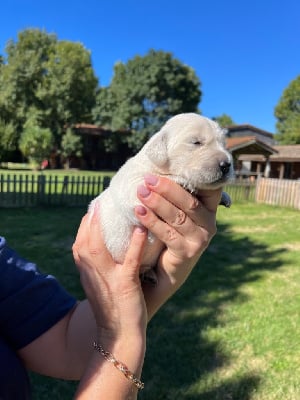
pixel 245 53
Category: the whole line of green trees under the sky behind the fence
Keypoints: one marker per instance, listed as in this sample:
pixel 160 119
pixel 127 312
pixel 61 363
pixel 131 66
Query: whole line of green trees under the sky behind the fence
pixel 49 85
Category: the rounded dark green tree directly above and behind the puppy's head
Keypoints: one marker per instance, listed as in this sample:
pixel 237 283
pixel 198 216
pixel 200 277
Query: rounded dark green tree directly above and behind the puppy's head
pixel 144 93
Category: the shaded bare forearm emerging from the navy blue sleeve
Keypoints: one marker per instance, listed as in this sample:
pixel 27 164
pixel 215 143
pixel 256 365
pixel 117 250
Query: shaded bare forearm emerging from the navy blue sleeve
pixel 66 347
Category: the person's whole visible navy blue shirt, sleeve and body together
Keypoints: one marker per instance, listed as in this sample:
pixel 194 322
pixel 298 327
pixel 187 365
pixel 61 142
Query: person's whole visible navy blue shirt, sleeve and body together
pixel 30 304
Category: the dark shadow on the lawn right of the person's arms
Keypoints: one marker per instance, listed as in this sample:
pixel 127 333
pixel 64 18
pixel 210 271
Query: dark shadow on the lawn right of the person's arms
pixel 181 359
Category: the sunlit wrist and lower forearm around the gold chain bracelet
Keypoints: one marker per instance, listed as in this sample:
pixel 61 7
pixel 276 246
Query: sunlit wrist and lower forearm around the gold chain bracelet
pixel 102 380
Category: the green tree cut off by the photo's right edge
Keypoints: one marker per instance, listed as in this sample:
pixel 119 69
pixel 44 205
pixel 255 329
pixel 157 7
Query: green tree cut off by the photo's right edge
pixel 287 113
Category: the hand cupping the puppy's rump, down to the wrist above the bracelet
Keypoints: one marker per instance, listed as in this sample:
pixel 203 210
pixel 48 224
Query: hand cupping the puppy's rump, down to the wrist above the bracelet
pixel 113 290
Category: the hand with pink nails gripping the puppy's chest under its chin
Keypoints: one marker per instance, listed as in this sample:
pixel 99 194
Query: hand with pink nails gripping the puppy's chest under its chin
pixel 185 224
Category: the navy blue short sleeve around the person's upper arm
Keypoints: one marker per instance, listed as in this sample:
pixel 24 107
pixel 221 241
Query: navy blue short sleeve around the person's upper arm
pixel 30 302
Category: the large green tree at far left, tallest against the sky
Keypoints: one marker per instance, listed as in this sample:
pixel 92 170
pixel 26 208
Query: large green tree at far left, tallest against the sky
pixel 54 77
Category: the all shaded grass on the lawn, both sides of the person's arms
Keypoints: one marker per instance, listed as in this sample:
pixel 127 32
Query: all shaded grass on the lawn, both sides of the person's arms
pixel 182 358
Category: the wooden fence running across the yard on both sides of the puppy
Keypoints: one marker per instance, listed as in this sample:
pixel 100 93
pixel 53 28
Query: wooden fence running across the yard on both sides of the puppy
pixel 33 190
